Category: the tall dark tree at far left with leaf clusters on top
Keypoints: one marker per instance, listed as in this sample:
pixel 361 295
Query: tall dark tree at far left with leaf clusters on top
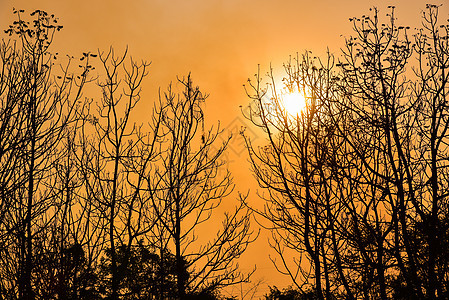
pixel 36 110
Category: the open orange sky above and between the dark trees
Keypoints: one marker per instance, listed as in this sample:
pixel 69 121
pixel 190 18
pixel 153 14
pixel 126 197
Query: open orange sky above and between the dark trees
pixel 220 42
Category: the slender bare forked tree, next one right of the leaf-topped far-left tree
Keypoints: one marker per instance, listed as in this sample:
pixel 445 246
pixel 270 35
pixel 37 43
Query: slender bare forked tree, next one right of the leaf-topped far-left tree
pixel 115 161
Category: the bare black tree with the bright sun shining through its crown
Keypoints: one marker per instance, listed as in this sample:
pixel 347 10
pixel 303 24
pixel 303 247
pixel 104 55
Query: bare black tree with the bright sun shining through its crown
pixel 292 166
